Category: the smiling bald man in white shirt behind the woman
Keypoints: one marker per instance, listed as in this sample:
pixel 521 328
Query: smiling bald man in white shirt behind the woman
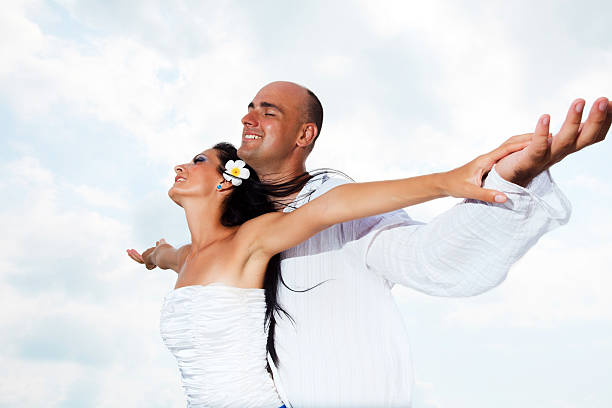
pixel 348 346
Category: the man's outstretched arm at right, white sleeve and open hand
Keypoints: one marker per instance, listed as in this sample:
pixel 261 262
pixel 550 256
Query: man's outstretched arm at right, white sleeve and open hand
pixel 470 248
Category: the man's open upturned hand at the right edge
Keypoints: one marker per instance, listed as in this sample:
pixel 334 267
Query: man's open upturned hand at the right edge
pixel 544 151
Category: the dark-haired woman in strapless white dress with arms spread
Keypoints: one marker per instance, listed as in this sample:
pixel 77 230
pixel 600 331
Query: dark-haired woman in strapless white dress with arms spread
pixel 219 320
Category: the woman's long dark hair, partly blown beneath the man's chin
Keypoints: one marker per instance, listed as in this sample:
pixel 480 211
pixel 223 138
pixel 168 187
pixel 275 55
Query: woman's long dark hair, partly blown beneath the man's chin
pixel 251 199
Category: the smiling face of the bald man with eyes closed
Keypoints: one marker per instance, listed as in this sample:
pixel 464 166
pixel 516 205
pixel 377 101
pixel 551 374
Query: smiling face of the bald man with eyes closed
pixel 272 124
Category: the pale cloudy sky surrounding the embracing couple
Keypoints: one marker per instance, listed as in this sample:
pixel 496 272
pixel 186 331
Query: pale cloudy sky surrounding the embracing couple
pixel 99 100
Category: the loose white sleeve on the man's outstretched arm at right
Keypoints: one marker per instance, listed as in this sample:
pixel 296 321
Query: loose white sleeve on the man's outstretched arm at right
pixel 468 249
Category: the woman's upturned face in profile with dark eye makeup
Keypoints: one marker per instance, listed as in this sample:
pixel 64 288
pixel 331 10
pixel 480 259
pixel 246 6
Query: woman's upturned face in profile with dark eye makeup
pixel 198 178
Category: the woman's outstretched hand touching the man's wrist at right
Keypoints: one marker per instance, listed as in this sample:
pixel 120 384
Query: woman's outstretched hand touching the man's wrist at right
pixel 466 181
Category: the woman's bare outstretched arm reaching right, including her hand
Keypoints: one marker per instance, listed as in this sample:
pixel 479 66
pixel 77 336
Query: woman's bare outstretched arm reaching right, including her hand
pixel 276 232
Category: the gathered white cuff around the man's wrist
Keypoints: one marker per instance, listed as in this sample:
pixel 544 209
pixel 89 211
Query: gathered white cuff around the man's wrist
pixel 541 193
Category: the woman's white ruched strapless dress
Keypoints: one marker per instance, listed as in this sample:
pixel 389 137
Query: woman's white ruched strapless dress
pixel 217 334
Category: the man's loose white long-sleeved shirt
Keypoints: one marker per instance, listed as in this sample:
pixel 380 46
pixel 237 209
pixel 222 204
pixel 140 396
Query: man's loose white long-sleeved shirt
pixel 347 345
